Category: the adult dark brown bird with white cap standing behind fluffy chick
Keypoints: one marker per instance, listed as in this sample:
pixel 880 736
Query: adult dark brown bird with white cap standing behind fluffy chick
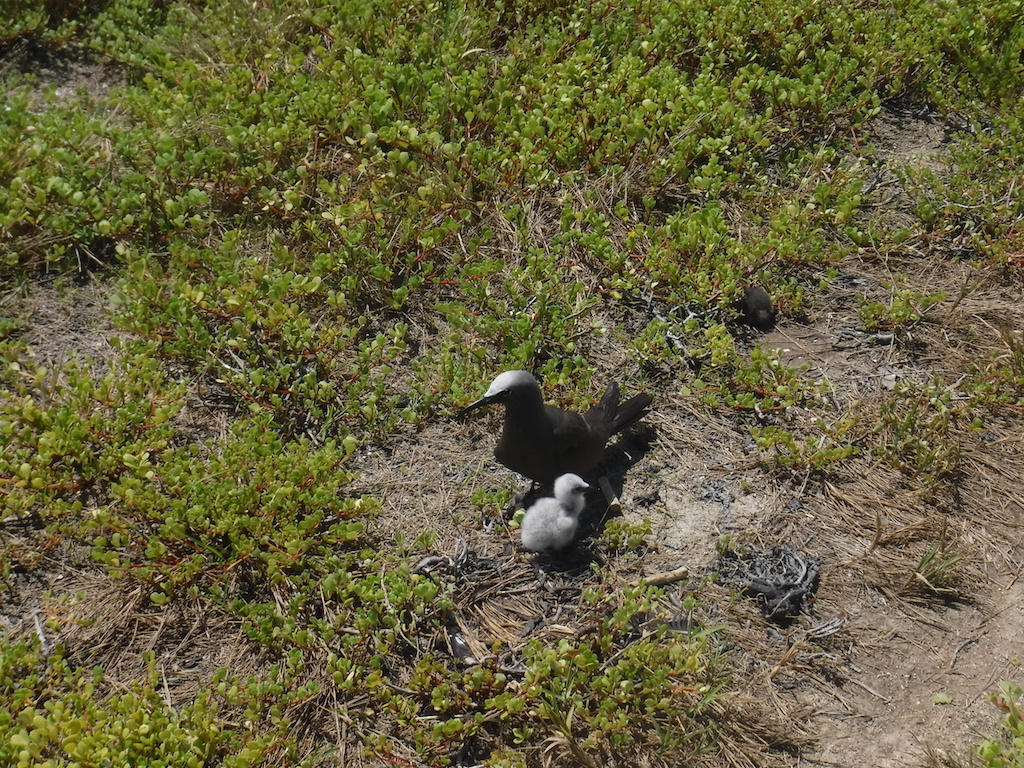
pixel 542 442
